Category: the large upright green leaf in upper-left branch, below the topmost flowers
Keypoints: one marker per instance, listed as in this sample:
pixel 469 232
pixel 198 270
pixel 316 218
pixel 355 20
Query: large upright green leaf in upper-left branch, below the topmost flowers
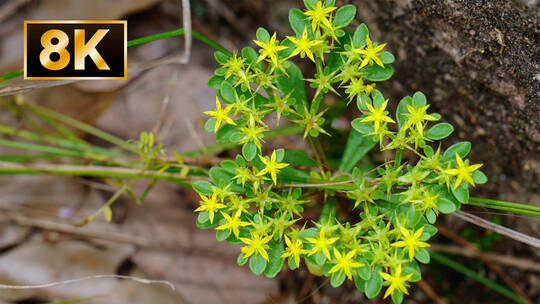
pixel 294 83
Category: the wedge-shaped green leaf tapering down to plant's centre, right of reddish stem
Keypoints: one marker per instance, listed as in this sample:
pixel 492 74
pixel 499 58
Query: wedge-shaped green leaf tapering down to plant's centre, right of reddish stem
pixel 358 145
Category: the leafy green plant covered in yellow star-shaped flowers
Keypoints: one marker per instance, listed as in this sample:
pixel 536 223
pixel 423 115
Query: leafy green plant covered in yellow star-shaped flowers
pixel 260 201
